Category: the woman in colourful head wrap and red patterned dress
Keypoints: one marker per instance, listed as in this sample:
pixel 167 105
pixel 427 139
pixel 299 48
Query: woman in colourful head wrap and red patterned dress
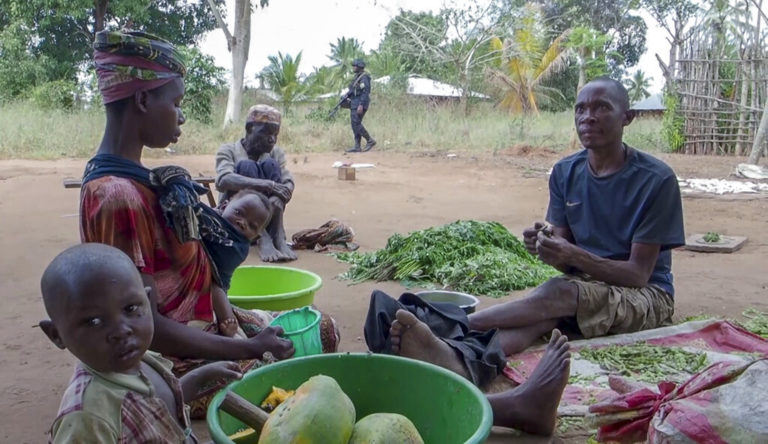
pixel 122 204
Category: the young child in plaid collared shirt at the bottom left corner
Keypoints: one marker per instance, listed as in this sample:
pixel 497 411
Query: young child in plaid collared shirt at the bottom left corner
pixel 119 392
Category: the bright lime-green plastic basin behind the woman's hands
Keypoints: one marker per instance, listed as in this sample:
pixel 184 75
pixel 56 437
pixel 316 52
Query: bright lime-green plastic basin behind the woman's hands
pixel 273 288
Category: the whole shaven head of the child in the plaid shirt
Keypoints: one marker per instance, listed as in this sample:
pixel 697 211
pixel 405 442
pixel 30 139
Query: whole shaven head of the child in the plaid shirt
pixel 98 307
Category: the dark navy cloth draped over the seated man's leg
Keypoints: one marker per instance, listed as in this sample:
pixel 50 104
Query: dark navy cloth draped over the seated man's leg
pixel 481 353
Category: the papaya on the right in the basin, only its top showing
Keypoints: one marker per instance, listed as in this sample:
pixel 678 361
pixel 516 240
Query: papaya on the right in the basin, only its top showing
pixel 385 428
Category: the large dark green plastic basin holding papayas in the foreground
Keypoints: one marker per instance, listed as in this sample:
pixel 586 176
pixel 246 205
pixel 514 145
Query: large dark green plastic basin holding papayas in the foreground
pixel 443 406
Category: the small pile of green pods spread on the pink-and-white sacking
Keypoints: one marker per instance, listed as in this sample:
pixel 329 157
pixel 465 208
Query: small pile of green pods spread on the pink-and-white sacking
pixel 645 362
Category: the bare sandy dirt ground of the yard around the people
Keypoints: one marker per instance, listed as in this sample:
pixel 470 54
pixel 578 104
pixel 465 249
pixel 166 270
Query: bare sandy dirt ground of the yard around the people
pixel 38 218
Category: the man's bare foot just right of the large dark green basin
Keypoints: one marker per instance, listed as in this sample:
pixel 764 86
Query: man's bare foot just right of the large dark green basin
pixel 532 406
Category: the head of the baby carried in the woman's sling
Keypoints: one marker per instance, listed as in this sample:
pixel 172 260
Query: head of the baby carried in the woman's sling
pixel 249 211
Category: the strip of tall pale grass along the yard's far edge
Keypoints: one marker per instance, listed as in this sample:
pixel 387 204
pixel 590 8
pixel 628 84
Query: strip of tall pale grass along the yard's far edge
pixel 398 122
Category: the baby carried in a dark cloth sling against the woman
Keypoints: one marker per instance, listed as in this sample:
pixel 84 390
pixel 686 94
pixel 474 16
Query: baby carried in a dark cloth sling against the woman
pixel 248 213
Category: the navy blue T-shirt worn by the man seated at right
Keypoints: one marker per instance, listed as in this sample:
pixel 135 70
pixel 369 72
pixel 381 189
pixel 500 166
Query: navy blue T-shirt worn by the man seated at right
pixel 638 204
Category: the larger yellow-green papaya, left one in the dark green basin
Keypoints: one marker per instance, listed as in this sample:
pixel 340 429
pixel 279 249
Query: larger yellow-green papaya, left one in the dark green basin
pixel 318 413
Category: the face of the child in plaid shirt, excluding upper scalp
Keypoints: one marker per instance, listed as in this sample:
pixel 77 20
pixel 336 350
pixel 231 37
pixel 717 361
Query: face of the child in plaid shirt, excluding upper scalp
pixel 107 325
